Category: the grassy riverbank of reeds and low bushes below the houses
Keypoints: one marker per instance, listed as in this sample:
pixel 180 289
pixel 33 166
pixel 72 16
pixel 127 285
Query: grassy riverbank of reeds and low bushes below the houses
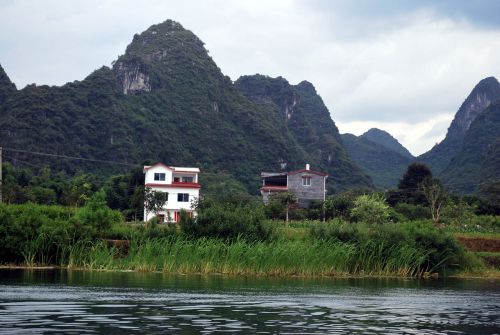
pixel 35 235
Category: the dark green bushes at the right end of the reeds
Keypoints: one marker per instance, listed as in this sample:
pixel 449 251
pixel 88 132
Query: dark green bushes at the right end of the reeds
pixel 418 246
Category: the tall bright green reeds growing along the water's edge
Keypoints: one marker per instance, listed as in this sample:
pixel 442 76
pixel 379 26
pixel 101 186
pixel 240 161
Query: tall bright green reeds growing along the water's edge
pixel 282 257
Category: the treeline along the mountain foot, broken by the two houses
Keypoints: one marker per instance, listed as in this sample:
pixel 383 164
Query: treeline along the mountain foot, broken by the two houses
pixel 418 195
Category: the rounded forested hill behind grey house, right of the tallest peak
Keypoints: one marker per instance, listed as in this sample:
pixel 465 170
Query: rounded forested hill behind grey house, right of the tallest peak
pixel 299 111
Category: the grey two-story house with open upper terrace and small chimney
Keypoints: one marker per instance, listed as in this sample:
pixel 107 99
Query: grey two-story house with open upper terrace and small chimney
pixel 306 184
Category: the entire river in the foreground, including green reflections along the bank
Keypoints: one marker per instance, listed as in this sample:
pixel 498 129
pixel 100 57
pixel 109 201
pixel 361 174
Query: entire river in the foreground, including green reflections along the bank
pixel 79 302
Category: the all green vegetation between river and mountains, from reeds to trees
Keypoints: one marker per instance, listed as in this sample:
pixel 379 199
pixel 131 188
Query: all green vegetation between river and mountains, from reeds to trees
pixel 355 233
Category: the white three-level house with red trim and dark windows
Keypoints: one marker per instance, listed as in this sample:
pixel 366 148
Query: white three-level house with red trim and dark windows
pixel 181 184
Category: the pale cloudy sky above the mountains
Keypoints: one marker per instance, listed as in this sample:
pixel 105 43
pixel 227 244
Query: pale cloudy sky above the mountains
pixel 401 66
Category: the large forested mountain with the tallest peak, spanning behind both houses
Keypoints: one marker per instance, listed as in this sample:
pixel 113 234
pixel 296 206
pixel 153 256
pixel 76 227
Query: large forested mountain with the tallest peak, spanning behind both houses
pixel 166 100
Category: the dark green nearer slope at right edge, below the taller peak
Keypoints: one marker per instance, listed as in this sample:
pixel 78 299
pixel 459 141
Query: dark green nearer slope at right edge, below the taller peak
pixel 478 161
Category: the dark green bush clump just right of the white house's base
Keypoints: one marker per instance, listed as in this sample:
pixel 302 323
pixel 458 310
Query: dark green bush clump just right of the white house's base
pixel 227 221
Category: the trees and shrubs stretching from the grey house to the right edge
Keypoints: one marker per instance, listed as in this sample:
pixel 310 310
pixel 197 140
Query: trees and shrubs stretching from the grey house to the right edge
pixel 418 196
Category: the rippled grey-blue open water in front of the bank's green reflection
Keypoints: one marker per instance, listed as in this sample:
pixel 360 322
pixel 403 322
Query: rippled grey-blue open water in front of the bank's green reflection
pixel 51 309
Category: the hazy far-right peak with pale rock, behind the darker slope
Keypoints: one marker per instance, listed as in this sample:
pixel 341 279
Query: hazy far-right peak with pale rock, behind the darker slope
pixel 440 156
